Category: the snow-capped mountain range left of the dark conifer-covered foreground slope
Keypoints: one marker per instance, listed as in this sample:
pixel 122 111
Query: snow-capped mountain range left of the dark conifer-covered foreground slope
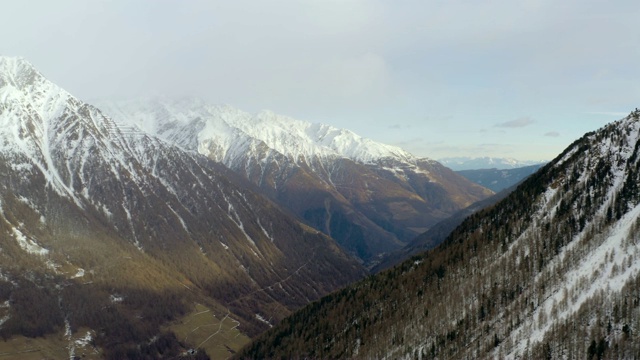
pixel 179 228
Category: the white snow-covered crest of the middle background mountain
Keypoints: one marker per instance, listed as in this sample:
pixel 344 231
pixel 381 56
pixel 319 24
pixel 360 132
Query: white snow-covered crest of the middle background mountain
pixel 234 133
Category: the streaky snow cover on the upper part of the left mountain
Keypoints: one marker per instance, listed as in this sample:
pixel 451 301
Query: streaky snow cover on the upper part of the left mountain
pixel 47 132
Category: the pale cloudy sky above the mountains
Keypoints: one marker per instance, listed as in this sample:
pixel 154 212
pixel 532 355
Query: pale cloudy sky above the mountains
pixel 439 78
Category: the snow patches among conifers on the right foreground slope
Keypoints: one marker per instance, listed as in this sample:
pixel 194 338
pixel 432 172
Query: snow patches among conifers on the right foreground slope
pixel 606 264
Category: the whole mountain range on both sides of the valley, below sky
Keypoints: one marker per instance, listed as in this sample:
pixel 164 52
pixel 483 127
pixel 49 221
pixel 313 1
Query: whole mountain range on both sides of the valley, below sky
pixel 180 229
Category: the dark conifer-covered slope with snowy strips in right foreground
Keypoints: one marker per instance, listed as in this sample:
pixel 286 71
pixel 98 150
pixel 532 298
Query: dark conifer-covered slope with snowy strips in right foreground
pixel 552 271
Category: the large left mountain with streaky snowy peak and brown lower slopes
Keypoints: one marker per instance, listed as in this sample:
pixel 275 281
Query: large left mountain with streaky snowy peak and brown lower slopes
pixel 103 226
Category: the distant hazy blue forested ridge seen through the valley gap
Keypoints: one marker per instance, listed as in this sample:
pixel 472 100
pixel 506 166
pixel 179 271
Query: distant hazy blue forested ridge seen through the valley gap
pixel 498 180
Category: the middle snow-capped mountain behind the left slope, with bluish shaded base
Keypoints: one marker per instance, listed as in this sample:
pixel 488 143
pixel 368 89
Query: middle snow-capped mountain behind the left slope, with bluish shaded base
pixel 369 196
